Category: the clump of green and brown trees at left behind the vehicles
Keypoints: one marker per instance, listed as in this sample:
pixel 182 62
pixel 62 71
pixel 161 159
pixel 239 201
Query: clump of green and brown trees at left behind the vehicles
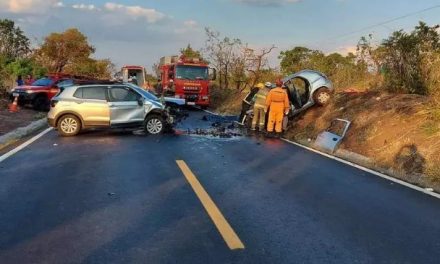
pixel 66 52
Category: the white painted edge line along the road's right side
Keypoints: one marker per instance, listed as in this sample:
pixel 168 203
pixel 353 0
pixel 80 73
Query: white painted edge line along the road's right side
pixel 409 185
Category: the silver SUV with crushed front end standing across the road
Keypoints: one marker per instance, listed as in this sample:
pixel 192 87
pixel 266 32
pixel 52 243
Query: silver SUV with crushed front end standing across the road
pixel 113 105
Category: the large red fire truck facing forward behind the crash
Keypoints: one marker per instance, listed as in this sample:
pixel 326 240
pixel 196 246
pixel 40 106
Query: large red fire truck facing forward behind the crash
pixel 185 78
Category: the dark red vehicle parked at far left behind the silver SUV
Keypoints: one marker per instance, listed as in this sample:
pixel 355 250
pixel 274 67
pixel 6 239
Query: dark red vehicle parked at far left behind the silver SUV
pixel 39 94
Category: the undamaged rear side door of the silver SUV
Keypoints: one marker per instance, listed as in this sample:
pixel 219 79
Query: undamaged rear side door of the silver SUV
pixel 92 105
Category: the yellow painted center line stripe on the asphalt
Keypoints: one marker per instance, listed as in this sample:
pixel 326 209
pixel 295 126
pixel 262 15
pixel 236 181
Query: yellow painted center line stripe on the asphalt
pixel 228 234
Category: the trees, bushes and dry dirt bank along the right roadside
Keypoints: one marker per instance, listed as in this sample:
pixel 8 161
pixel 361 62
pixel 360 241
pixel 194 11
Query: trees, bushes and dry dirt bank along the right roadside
pixel 390 91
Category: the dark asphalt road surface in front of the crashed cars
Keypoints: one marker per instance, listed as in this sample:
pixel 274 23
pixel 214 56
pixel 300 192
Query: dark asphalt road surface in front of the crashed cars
pixel 113 197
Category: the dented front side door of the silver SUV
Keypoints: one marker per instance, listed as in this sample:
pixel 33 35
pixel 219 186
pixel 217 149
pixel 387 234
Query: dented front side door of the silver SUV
pixel 125 106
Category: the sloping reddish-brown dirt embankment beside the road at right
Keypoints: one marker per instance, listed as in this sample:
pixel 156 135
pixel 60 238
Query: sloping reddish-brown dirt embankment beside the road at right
pixel 397 132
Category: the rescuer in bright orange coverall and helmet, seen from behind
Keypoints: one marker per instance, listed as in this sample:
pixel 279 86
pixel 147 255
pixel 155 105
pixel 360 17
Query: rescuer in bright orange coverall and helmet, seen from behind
pixel 278 102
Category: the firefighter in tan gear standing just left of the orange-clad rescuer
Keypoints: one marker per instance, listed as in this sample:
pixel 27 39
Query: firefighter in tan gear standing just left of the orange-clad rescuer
pixel 260 108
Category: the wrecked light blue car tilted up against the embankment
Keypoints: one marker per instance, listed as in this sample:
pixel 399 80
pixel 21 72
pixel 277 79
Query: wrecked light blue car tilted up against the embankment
pixel 305 89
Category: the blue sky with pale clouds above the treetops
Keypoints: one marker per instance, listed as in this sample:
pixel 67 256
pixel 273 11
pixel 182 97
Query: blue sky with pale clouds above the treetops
pixel 134 32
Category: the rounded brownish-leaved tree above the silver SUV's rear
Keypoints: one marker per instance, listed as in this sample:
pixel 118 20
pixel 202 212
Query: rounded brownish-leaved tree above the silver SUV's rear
pixel 63 49
